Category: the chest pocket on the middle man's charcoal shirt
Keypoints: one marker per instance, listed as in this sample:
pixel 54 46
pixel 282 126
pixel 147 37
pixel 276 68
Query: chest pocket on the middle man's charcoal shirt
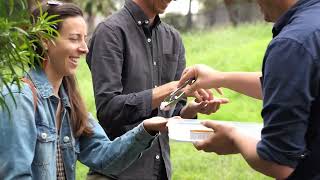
pixel 169 67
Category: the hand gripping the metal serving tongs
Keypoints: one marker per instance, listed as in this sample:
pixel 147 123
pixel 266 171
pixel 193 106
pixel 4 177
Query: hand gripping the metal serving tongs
pixel 205 76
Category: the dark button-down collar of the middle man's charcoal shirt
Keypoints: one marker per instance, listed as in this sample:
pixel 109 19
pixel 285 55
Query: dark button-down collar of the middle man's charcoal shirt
pixel 138 15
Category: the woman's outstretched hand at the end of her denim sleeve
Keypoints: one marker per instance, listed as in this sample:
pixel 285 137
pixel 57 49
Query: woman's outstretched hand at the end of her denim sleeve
pixel 155 125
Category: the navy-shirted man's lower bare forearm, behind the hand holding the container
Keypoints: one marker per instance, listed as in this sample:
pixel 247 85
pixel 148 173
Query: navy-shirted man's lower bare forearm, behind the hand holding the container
pixel 247 147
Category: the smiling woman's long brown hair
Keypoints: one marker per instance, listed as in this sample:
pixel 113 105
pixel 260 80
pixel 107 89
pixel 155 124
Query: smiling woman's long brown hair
pixel 79 113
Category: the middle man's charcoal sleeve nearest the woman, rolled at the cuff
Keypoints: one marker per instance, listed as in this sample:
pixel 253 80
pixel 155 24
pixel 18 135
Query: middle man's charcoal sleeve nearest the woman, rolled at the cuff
pixel 105 60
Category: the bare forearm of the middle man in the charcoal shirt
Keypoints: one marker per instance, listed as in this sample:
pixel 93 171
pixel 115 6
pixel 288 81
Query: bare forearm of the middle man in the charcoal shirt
pixel 161 92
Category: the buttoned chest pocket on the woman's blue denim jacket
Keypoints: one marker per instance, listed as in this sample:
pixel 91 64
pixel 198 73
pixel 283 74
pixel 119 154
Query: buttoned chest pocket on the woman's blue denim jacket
pixel 45 145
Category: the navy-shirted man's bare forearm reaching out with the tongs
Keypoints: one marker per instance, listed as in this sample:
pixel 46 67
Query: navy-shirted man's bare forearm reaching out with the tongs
pixel 247 83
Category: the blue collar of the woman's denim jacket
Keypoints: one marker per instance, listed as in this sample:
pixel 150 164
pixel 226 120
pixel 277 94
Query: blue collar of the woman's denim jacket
pixel 44 87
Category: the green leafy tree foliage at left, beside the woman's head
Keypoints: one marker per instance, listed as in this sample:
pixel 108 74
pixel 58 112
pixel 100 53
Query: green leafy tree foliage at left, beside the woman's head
pixel 18 37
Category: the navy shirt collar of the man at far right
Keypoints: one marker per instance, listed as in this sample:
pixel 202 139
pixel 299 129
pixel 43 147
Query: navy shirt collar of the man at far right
pixel 287 17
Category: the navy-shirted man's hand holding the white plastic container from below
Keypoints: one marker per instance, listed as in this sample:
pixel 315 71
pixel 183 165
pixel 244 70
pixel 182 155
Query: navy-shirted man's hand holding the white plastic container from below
pixel 220 141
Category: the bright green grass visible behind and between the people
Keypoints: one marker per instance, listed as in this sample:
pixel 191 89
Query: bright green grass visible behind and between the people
pixel 225 49
